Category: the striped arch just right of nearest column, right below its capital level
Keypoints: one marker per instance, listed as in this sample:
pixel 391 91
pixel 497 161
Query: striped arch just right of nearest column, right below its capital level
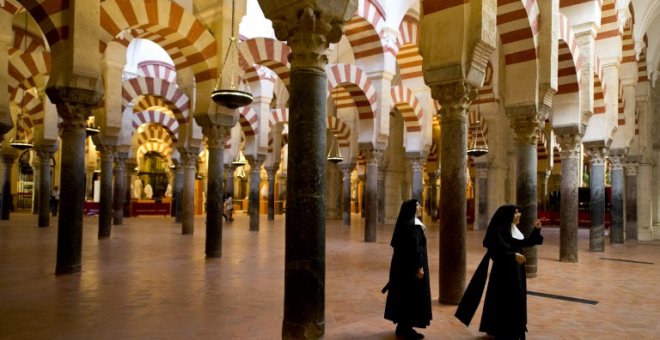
pixel 357 83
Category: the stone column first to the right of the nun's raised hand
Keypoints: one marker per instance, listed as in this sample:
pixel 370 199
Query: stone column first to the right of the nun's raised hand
pixel 570 183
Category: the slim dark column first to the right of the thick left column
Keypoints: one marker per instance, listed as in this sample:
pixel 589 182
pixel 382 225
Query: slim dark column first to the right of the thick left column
pixel 105 206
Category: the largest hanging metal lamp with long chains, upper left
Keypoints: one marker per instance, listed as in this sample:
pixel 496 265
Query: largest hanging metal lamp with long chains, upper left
pixel 231 90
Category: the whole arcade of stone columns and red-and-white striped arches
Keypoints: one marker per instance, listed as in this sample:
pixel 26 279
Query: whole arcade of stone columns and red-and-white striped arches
pixel 547 81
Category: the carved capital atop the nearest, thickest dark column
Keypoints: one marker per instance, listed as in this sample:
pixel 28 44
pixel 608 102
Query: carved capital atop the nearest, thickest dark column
pixel 308 27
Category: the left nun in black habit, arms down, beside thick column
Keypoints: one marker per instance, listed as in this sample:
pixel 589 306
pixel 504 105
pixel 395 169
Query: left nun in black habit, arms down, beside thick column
pixel 409 288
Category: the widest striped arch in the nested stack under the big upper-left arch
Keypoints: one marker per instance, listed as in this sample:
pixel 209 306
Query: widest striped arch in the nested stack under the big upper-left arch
pixel 142 86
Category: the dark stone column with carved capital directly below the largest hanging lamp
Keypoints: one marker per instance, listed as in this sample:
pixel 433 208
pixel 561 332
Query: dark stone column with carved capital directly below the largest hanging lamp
pixel 214 193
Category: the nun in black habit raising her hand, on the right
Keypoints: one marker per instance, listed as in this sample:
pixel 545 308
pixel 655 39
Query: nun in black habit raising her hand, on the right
pixel 505 307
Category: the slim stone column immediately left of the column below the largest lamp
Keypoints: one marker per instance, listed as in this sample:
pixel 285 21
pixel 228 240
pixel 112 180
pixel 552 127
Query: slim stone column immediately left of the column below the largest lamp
pixel 189 158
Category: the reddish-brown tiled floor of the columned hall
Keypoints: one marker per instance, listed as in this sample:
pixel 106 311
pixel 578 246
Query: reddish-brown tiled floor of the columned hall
pixel 149 282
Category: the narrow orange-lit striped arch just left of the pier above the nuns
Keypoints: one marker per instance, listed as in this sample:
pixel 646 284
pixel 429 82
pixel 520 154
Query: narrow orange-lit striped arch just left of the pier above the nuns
pixel 408 58
